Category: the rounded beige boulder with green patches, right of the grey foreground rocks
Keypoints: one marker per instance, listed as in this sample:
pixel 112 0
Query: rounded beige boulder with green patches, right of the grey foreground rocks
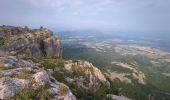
pixel 85 75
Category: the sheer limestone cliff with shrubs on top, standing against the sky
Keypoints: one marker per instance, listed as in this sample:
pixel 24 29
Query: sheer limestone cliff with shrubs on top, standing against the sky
pixel 22 41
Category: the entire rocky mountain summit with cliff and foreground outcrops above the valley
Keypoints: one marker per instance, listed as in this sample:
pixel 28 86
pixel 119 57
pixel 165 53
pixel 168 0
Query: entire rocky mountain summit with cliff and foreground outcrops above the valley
pixel 31 69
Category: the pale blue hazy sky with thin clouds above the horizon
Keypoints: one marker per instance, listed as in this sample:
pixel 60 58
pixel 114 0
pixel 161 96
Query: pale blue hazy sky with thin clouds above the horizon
pixel 127 15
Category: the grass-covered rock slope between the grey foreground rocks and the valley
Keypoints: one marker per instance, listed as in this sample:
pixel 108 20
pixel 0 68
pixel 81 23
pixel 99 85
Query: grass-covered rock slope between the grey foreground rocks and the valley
pixel 85 80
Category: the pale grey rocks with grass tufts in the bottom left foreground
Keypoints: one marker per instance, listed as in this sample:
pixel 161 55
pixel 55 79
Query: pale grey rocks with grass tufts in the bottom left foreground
pixel 18 75
